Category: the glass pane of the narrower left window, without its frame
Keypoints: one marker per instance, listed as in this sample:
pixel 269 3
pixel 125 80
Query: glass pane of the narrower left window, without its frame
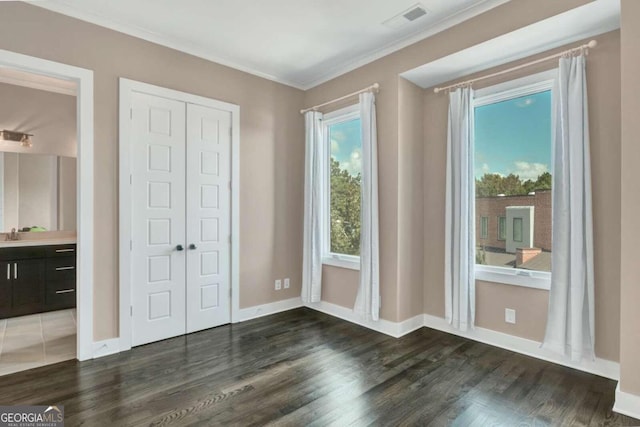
pixel 345 179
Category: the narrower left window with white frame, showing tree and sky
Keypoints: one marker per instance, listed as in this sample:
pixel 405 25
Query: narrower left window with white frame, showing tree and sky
pixel 343 177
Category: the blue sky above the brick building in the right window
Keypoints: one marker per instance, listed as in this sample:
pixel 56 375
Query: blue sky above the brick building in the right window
pixel 514 136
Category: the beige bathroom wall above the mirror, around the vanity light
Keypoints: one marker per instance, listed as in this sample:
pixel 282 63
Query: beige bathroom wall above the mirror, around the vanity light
pixel 50 117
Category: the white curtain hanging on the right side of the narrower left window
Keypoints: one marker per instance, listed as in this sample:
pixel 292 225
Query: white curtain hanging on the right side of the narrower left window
pixel 368 298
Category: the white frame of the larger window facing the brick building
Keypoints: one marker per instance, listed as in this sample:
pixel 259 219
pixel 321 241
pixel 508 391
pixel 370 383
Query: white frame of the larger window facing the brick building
pixel 516 88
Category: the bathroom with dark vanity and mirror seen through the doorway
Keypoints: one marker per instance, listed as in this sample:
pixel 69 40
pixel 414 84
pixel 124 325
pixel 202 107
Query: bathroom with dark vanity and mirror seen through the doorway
pixel 38 218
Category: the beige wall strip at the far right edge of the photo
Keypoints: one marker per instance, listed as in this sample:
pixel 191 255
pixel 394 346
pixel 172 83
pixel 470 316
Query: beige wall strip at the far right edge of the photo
pixel 630 179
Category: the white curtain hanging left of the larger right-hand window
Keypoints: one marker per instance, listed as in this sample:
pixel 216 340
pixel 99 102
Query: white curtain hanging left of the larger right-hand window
pixel 460 213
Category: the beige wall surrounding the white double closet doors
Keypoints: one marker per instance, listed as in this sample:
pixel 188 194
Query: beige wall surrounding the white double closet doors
pixel 271 152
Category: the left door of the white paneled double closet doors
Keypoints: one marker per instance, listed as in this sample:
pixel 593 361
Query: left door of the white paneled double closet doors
pixel 158 218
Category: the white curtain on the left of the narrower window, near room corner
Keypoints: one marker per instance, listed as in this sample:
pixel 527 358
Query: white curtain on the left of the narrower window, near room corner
pixel 312 251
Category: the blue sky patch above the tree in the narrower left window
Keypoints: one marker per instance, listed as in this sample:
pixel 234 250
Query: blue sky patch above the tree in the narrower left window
pixel 346 145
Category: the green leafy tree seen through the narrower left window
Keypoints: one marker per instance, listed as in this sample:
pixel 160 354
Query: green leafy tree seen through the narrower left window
pixel 345 210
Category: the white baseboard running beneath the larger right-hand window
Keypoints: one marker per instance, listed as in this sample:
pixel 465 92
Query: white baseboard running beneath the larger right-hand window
pixel 604 368
